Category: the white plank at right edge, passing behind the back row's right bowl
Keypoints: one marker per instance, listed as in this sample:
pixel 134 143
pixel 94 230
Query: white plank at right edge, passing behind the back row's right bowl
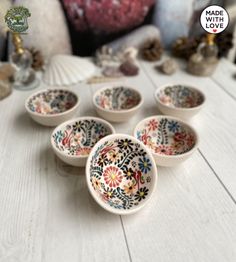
pixel 216 123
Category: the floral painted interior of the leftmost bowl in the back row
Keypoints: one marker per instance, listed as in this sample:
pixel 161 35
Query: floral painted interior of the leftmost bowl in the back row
pixel 52 102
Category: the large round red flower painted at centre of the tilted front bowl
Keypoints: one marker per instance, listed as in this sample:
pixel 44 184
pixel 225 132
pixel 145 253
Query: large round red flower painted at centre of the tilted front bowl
pixel 113 176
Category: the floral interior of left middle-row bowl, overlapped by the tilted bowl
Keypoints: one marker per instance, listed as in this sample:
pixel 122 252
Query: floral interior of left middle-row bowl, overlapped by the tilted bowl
pixel 78 138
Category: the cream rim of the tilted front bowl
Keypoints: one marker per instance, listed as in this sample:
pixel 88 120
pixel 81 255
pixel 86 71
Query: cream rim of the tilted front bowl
pixel 93 193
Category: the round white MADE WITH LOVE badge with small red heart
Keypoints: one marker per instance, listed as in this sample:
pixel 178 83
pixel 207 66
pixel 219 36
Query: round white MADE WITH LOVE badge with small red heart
pixel 214 19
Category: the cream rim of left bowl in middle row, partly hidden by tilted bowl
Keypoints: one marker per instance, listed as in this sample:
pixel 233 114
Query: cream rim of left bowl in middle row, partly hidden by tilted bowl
pixel 62 153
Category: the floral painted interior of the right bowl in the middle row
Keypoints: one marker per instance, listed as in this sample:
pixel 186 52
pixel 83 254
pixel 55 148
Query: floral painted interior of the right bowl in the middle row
pixel 165 136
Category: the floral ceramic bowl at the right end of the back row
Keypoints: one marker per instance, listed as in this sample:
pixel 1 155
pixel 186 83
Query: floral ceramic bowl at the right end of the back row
pixel 181 101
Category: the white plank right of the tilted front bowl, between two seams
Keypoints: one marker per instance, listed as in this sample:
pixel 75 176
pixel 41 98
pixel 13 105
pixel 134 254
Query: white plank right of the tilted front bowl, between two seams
pixel 190 219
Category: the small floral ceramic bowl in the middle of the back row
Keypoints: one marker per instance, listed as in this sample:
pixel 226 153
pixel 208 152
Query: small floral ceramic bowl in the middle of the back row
pixel 117 104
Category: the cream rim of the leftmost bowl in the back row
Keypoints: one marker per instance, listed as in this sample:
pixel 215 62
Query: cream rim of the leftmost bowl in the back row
pixel 52 115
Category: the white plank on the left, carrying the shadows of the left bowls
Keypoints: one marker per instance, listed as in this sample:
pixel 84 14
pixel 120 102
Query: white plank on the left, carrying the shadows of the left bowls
pixel 47 214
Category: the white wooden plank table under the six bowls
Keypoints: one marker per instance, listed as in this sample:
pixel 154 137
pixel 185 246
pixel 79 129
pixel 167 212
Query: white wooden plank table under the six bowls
pixel 48 215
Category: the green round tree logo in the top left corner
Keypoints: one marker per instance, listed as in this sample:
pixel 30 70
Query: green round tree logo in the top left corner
pixel 16 19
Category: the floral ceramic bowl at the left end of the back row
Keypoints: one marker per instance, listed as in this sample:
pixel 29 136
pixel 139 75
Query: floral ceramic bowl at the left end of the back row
pixel 51 107
